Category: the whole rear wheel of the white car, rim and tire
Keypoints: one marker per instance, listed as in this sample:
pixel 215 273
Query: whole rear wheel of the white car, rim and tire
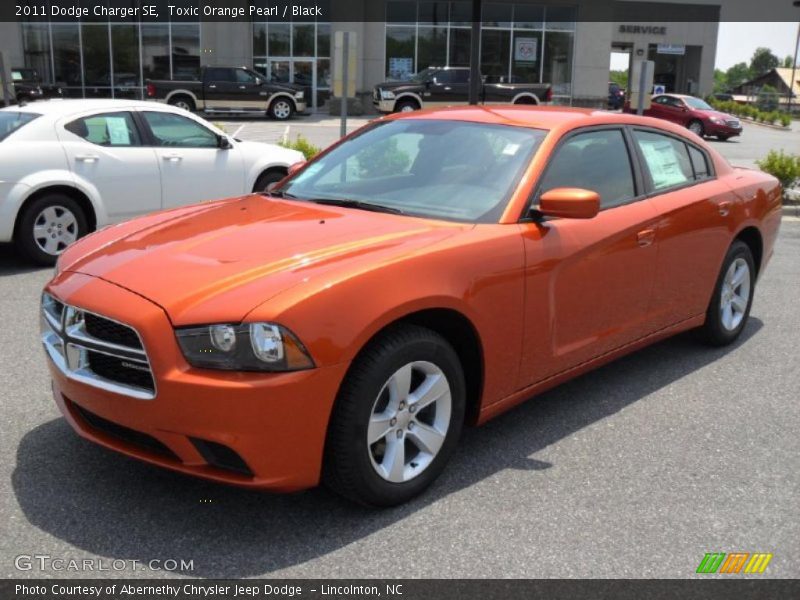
pixel 48 226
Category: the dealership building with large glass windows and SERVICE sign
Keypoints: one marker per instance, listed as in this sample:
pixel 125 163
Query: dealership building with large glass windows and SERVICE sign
pixel 566 43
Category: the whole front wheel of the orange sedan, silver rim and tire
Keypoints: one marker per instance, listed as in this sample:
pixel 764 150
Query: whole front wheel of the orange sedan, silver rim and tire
pixel 397 418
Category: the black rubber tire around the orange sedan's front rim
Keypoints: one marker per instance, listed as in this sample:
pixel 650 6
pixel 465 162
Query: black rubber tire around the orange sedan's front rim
pixel 348 466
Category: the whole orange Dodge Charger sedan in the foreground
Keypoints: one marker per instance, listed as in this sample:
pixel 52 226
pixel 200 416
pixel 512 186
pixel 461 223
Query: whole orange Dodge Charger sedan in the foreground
pixel 429 271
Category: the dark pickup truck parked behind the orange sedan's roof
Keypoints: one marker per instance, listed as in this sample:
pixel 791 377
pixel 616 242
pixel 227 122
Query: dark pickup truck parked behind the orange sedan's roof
pixel 438 86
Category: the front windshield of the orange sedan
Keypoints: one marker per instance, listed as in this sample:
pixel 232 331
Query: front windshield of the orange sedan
pixel 452 170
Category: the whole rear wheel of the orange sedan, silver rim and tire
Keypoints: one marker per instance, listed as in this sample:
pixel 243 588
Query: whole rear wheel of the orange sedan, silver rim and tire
pixel 730 305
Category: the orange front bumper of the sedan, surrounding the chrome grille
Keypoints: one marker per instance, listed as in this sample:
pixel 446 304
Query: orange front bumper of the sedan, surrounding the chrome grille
pixel 275 423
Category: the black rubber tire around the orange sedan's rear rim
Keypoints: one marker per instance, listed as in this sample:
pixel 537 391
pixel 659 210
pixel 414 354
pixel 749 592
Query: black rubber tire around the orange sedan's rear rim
pixel 714 331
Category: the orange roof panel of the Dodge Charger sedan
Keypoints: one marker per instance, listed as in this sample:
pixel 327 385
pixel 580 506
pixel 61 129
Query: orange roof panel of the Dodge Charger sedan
pixel 537 117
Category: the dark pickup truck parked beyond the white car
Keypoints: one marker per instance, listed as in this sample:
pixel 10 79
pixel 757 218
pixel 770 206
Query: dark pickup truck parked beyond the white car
pixel 230 90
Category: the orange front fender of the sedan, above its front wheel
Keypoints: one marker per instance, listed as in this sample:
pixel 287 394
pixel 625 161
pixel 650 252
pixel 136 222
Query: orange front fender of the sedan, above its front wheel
pixel 477 273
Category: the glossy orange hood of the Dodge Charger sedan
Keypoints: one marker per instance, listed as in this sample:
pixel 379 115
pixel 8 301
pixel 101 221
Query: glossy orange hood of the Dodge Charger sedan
pixel 220 260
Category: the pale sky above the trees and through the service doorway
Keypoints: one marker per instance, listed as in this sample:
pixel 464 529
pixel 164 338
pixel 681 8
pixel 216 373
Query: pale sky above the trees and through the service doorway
pixel 737 42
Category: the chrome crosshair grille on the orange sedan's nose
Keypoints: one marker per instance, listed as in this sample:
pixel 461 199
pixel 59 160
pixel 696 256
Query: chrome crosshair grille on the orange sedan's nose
pixel 96 350
